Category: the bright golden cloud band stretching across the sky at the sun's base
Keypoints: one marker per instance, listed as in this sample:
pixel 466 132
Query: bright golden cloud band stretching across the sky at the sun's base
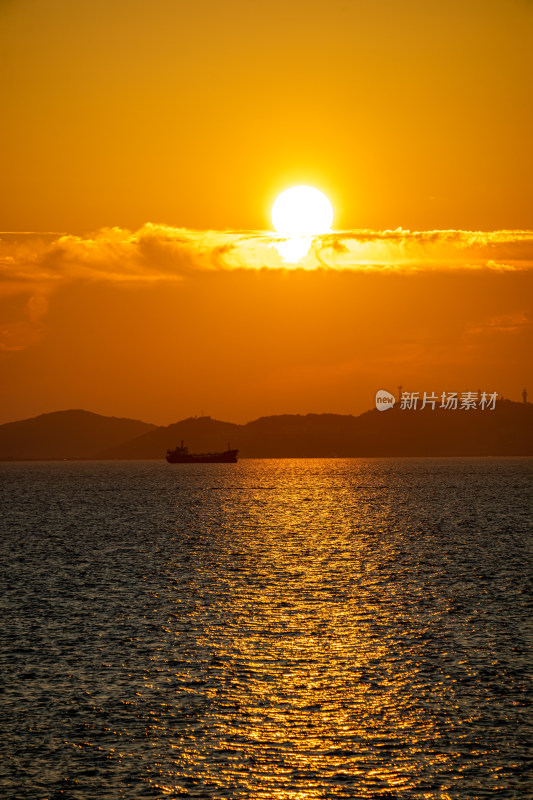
pixel 159 252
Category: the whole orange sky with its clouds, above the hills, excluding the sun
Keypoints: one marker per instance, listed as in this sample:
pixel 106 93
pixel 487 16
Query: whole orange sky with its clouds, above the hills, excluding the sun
pixel 142 147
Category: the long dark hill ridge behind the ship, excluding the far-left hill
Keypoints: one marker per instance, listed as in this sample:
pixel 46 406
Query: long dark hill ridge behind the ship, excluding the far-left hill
pixel 507 430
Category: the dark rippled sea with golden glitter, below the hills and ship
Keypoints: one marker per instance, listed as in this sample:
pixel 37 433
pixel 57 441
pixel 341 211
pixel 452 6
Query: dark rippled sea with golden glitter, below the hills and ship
pixel 273 629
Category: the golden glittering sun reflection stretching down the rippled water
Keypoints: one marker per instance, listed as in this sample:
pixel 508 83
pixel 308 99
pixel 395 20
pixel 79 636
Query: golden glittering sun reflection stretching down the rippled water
pixel 329 662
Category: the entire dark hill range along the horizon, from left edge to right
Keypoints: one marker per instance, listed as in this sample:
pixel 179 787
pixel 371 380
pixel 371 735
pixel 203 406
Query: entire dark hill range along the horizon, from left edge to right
pixel 505 431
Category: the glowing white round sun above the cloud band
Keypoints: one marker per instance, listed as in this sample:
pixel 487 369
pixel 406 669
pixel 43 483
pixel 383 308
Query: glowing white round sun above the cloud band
pixel 302 211
